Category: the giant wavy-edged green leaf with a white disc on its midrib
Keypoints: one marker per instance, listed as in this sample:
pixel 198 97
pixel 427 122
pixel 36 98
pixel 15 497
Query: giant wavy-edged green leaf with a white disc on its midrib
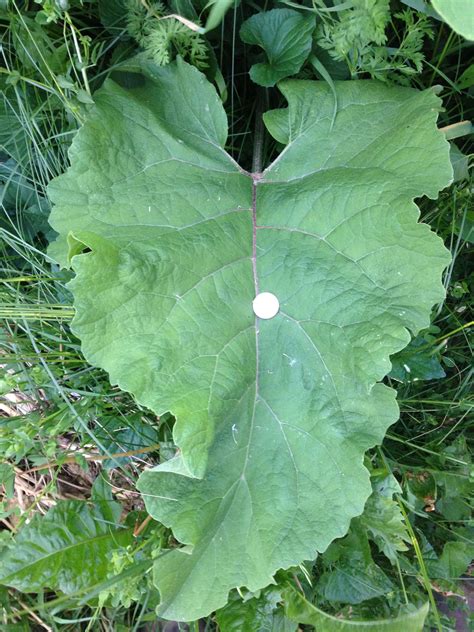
pixel 273 416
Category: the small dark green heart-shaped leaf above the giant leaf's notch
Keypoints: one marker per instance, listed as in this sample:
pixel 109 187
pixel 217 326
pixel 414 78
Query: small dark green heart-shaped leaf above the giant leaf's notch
pixel 285 36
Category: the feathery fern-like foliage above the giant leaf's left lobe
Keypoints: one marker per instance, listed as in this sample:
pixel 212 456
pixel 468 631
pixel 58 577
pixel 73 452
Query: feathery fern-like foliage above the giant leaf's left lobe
pixel 162 37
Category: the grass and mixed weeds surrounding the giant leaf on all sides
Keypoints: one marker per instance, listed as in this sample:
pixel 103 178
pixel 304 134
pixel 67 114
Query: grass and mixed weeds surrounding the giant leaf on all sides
pixel 72 446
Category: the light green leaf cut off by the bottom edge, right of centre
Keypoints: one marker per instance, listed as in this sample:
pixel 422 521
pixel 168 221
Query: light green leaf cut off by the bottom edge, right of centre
pixel 299 609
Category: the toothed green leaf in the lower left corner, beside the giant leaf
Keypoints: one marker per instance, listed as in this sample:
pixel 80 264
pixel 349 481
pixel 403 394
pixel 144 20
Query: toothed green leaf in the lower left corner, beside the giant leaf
pixel 68 549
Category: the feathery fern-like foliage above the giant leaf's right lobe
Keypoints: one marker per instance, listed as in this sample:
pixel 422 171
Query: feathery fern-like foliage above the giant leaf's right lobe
pixel 358 37
